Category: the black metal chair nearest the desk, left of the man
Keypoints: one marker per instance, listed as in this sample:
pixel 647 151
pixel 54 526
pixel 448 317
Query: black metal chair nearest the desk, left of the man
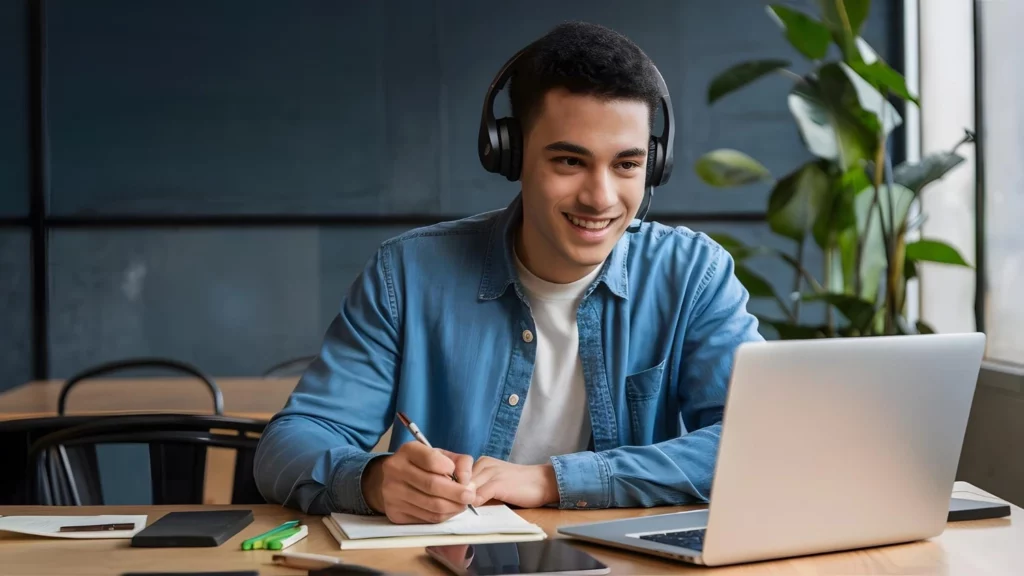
pixel 65 474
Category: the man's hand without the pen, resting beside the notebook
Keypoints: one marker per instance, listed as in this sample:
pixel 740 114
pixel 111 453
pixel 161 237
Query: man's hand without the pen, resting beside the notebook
pixel 520 485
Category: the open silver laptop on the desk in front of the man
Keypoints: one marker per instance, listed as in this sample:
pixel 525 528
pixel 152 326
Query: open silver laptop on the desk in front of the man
pixel 827 445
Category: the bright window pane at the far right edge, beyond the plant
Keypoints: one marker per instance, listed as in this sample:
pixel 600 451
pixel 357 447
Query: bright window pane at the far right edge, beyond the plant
pixel 1003 132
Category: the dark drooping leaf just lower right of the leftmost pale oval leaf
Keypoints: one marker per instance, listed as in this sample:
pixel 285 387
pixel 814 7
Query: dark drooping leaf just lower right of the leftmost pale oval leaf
pixel 796 201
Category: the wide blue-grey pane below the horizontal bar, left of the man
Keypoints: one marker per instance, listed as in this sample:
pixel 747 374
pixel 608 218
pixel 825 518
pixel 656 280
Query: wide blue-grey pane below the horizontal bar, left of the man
pixel 232 302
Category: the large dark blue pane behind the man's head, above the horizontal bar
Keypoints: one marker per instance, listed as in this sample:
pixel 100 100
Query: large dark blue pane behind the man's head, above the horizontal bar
pixel 273 114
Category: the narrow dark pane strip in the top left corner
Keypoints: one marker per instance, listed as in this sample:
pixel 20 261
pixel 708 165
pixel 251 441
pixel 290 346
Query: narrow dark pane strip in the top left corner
pixel 14 109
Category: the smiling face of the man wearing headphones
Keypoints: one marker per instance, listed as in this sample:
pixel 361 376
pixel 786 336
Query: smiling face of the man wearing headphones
pixel 583 176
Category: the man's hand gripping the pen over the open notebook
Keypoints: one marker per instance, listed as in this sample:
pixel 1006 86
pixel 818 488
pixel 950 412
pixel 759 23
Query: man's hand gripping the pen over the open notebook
pixel 413 486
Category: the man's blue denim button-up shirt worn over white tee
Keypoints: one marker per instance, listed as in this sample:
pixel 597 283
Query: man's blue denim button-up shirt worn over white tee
pixel 437 326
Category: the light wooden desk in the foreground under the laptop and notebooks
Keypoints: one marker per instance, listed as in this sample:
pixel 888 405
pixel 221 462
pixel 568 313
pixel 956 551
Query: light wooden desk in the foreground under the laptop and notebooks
pixel 993 547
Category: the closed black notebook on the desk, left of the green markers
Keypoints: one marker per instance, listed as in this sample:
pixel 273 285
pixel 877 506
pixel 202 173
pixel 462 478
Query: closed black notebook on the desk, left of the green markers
pixel 211 528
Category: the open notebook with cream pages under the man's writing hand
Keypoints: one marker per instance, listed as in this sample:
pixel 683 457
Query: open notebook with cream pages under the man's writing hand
pixel 496 524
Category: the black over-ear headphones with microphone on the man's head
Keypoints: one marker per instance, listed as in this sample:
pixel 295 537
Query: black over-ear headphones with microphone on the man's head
pixel 500 143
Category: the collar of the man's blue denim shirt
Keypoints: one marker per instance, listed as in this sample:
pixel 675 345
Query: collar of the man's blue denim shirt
pixel 499 266
